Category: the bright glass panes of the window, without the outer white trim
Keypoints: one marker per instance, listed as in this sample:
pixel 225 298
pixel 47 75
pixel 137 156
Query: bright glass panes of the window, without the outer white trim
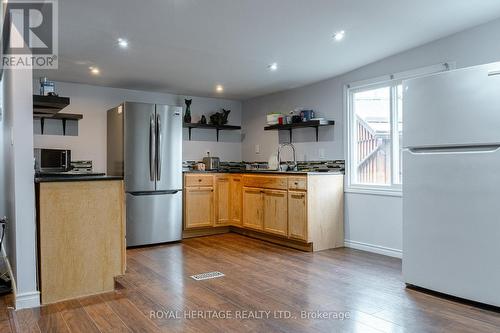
pixel 376 129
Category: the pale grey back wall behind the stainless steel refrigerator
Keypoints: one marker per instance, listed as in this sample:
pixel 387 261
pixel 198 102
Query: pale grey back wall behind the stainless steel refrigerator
pixel 94 101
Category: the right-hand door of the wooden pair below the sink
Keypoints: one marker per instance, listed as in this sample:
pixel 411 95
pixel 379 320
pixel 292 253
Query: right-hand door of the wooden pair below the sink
pixel 276 212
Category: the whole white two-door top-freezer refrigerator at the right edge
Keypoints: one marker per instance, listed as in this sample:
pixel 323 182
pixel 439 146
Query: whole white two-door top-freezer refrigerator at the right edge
pixel 451 183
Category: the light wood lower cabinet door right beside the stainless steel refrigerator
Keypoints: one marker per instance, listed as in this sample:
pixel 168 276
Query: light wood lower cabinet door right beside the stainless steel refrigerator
pixel 199 207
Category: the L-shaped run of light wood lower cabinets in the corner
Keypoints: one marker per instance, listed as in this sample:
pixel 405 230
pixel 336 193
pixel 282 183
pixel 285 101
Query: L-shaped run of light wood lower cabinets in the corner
pixel 298 209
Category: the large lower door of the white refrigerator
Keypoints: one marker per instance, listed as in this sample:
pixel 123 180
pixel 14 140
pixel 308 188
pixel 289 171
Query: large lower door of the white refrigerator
pixel 451 224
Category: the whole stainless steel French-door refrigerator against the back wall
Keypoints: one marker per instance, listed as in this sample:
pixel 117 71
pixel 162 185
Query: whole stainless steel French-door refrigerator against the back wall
pixel 144 145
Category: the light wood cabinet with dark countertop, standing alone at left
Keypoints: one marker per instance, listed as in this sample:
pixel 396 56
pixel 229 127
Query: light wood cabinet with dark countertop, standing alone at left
pixel 81 235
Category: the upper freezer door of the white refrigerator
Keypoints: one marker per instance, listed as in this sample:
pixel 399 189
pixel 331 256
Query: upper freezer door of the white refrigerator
pixel 459 107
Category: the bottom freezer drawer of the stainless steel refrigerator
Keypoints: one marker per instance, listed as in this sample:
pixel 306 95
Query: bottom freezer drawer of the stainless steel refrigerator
pixel 154 218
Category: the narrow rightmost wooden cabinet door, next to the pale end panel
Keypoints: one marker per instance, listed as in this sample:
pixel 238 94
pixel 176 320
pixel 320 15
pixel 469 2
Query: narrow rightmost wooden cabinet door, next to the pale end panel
pixel 297 215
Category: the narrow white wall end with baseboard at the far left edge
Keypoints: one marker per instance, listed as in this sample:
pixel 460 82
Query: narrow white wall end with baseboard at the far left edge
pixel 19 186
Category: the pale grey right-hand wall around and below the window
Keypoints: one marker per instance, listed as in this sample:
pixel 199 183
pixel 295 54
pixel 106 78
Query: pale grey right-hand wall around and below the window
pixel 372 222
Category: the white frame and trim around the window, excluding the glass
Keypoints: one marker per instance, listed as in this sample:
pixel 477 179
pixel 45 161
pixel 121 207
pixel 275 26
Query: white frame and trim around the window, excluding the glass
pixel 389 80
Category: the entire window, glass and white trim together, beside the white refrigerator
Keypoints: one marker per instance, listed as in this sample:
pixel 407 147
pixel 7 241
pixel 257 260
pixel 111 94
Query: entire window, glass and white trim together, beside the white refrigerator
pixel 375 130
